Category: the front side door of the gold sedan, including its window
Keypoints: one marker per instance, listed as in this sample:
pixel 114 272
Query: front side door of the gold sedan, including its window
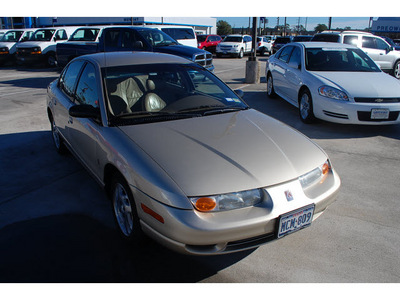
pixel 84 132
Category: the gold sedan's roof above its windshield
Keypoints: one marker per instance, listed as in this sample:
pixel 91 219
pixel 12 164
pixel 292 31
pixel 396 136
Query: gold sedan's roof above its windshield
pixel 112 59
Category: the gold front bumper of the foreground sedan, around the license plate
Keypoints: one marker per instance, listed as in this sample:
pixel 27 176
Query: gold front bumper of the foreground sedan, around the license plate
pixel 195 233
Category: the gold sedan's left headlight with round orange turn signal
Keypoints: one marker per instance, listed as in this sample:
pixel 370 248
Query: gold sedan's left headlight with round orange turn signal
pixel 227 201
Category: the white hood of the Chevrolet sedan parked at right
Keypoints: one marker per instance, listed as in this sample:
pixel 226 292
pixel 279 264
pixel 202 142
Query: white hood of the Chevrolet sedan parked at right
pixel 362 84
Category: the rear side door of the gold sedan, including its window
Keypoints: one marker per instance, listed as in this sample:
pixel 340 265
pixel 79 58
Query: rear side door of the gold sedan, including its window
pixel 64 96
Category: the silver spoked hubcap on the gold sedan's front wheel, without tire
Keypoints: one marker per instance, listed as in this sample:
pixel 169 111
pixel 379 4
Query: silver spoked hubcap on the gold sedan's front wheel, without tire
pixel 123 210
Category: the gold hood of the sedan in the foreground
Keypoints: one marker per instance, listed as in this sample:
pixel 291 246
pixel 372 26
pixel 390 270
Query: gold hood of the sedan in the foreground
pixel 227 152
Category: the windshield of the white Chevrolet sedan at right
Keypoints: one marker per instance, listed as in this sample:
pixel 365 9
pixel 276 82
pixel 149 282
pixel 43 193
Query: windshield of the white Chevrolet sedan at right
pixel 339 60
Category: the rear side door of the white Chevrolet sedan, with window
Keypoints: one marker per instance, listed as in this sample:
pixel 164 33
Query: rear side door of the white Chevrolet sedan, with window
pixel 279 71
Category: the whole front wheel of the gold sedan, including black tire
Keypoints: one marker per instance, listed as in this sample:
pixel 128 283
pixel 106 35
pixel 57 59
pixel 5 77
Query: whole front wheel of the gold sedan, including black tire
pixel 124 210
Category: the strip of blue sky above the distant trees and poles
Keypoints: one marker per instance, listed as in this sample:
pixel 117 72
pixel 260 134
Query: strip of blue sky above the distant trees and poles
pixel 312 22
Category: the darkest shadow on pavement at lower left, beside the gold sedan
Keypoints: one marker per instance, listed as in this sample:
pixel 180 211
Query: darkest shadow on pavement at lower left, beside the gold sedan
pixel 78 249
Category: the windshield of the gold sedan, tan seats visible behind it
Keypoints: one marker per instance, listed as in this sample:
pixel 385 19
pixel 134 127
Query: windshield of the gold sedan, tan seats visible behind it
pixel 159 92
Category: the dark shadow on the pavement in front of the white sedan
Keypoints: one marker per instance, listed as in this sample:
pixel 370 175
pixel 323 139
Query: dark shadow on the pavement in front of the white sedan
pixel 288 114
